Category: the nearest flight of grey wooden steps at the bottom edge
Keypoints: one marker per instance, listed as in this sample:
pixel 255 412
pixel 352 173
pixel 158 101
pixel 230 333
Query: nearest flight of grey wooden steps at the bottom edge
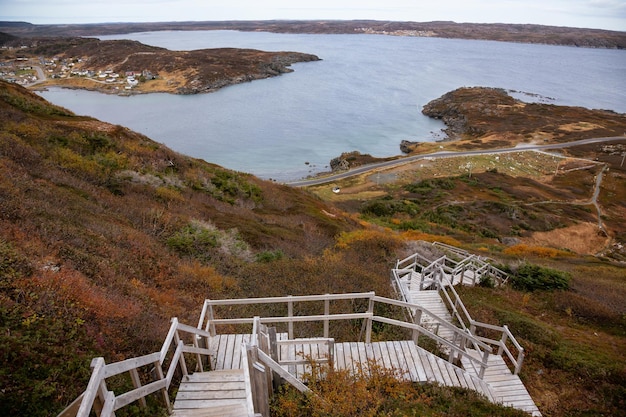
pixel 212 394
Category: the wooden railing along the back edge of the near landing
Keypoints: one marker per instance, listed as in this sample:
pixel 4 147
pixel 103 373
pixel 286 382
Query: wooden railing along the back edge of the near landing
pixel 457 347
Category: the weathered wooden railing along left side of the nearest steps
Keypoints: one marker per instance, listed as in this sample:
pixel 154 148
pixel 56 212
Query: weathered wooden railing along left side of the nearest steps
pixel 104 402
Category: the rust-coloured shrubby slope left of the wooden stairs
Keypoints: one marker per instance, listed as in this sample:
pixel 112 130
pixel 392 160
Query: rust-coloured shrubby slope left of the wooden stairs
pixel 105 235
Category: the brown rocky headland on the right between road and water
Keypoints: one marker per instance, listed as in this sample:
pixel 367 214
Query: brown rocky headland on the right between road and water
pixel 484 117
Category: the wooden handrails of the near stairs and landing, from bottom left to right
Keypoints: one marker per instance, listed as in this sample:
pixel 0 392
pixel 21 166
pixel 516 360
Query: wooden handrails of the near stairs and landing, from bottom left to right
pixel 101 371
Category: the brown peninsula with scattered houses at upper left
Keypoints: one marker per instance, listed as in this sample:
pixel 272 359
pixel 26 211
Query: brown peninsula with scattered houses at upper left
pixel 130 67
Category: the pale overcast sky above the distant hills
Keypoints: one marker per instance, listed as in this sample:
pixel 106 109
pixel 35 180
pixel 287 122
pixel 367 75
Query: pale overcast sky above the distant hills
pixel 602 14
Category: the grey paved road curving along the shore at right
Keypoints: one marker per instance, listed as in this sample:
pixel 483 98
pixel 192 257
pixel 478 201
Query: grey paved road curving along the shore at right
pixel 444 154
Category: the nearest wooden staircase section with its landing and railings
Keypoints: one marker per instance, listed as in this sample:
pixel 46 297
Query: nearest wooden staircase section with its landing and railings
pixel 245 366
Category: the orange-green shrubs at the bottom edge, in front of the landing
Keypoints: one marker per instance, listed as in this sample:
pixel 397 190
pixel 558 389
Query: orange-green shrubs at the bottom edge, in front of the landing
pixel 375 391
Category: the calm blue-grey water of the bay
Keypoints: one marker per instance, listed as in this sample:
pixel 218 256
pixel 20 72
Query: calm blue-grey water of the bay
pixel 366 94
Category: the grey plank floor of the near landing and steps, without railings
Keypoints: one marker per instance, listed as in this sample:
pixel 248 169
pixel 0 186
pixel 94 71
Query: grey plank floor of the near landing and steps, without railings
pixel 411 362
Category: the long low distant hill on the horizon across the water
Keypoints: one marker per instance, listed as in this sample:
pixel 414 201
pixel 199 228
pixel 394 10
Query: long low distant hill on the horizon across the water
pixel 527 33
